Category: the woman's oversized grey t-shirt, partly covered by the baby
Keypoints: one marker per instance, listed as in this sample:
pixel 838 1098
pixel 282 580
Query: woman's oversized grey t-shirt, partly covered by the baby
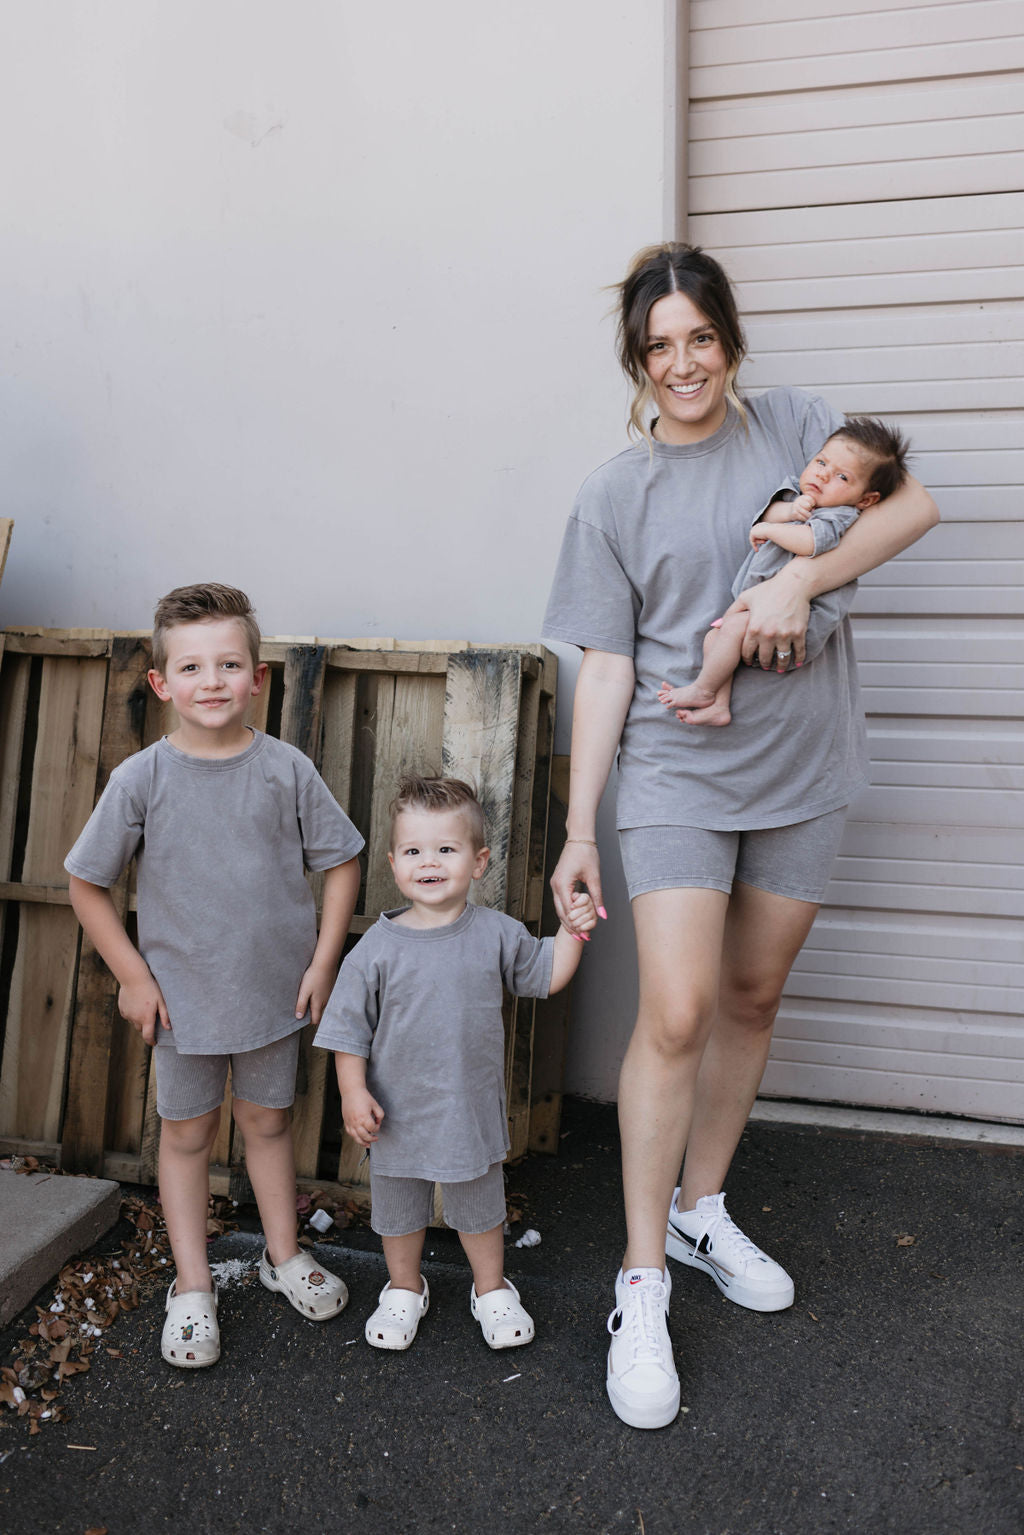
pixel 647 564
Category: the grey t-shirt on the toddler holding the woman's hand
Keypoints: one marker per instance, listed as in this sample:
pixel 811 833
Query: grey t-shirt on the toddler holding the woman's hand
pixel 424 1005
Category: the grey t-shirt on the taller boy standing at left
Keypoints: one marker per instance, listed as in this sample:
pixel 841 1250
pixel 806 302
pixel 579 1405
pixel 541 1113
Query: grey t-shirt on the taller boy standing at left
pixel 226 919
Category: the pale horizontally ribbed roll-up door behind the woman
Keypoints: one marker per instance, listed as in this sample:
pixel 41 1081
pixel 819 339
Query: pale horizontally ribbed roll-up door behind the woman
pixel 860 174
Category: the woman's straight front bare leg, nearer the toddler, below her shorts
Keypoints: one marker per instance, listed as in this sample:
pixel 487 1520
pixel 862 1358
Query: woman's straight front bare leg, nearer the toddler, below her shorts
pixel 679 946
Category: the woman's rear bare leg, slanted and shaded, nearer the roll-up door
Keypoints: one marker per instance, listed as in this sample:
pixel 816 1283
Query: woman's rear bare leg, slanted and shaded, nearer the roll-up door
pixel 764 936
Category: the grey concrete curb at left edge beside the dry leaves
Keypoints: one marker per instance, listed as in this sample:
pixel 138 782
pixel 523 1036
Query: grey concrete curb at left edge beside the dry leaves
pixel 45 1220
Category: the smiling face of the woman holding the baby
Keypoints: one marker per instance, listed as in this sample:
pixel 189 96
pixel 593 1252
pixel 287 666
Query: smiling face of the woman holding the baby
pixel 687 366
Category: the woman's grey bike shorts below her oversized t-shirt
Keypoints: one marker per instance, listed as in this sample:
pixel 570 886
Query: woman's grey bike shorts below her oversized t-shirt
pixel 785 860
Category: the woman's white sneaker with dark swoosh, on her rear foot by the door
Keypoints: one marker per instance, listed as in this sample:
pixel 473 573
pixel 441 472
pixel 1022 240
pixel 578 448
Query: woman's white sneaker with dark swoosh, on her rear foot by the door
pixel 707 1238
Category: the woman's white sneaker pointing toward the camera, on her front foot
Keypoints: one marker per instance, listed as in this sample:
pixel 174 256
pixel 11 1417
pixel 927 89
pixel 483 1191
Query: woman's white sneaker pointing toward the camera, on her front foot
pixel 642 1381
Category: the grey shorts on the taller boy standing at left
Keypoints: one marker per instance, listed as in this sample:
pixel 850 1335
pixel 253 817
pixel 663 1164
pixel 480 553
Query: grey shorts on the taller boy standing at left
pixel 193 1086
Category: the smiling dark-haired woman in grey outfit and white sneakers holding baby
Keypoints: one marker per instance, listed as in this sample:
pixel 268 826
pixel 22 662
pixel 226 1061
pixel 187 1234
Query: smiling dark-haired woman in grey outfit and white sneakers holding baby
pixel 727 834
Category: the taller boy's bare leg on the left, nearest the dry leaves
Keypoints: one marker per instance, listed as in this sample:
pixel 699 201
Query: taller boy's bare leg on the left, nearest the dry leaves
pixel 185 1192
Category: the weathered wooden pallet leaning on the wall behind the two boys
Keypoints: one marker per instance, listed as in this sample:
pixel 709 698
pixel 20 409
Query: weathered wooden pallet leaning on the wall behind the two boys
pixel 76 1083
